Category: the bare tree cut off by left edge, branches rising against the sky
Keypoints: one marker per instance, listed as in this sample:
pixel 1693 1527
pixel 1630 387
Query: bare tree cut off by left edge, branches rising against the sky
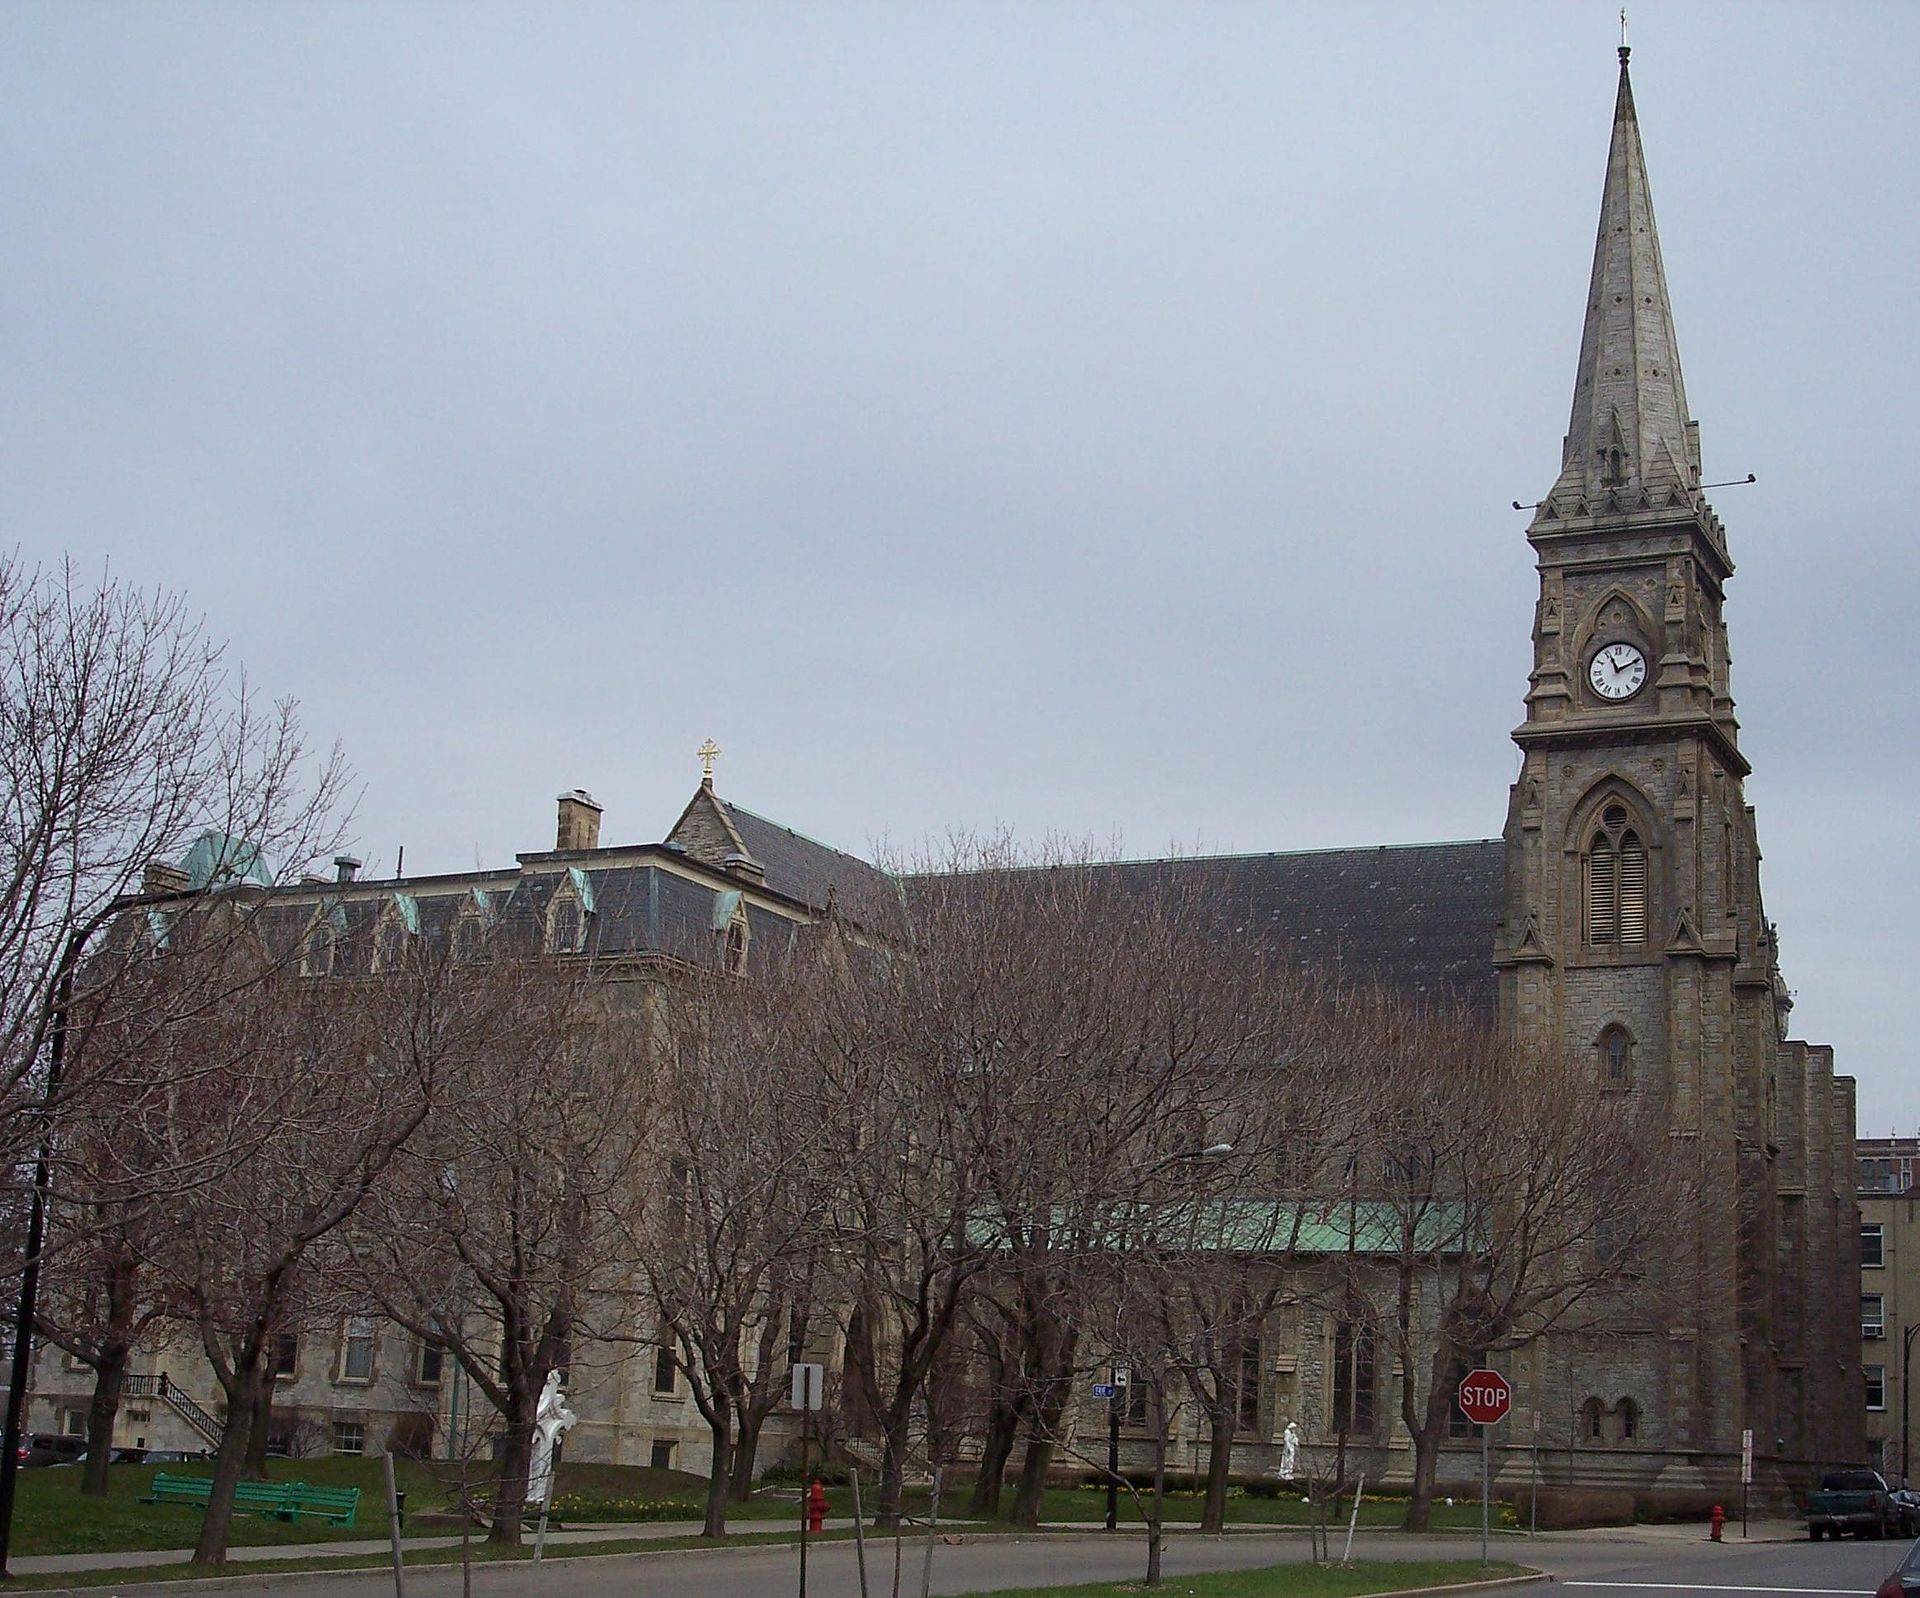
pixel 124 738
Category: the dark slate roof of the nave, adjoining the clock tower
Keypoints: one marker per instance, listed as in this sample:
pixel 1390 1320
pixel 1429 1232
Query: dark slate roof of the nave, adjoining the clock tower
pixel 1412 917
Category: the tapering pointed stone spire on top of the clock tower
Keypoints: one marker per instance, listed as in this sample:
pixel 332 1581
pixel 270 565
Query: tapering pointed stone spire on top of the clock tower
pixel 1631 433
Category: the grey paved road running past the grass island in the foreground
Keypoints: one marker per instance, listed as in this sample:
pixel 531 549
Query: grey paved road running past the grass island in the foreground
pixel 1587 1566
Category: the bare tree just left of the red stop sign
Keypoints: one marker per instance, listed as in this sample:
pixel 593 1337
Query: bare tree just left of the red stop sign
pixel 1508 1198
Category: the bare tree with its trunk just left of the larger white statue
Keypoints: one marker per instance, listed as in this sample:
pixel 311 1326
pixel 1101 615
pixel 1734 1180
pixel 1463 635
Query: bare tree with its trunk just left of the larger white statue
pixel 500 1230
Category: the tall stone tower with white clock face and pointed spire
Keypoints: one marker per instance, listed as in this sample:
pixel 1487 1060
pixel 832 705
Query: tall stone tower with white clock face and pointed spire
pixel 1633 938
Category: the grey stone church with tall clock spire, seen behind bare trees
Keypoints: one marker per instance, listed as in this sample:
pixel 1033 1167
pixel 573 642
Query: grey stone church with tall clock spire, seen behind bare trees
pixel 1618 923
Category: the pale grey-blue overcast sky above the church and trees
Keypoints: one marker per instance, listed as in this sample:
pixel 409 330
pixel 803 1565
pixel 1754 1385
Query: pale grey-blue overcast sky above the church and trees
pixel 1080 418
